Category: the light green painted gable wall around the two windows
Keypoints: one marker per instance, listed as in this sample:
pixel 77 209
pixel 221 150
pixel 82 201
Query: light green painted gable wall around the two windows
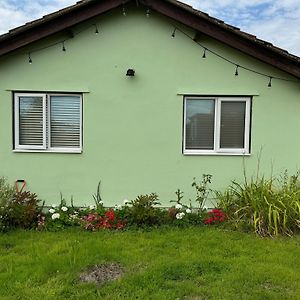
pixel 133 126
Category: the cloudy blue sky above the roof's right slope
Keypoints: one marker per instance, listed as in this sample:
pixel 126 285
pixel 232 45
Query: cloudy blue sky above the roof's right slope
pixel 276 21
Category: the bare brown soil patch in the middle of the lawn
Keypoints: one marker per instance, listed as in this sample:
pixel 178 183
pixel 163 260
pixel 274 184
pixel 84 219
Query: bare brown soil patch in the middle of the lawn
pixel 100 274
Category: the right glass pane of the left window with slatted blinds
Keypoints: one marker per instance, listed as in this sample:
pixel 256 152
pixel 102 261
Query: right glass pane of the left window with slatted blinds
pixel 65 121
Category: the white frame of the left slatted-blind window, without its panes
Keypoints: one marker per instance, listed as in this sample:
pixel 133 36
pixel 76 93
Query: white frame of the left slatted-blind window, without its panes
pixel 46 123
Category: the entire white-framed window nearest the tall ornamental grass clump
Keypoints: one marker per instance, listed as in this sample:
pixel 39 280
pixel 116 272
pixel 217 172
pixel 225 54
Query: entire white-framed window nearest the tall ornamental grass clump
pixel 214 125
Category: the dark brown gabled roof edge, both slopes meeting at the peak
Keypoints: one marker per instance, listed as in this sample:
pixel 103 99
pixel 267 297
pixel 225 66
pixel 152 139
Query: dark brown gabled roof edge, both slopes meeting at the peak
pixel 68 17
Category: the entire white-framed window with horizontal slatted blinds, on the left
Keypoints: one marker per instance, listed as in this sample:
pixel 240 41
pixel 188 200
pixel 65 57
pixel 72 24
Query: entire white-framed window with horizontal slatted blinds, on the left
pixel 48 122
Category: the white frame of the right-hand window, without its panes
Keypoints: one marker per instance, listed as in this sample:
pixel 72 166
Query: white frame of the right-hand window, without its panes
pixel 217 124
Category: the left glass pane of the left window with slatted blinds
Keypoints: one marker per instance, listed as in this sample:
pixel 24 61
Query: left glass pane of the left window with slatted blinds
pixel 31 121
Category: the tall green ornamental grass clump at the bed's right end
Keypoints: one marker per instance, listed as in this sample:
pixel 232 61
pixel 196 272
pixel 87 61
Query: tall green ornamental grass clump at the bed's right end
pixel 268 206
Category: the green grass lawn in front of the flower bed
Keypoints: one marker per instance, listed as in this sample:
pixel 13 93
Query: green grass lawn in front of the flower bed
pixel 193 263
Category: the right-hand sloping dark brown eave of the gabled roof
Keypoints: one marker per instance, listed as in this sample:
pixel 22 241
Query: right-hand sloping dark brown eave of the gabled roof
pixel 241 41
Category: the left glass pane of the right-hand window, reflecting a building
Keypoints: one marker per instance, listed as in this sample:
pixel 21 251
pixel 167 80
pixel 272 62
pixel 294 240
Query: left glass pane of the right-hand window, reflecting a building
pixel 200 120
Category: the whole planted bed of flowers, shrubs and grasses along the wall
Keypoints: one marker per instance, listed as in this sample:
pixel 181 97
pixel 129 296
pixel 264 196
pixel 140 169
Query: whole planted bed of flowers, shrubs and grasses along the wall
pixel 268 207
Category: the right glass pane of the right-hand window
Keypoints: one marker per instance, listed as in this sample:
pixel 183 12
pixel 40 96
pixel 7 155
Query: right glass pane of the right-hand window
pixel 232 131
